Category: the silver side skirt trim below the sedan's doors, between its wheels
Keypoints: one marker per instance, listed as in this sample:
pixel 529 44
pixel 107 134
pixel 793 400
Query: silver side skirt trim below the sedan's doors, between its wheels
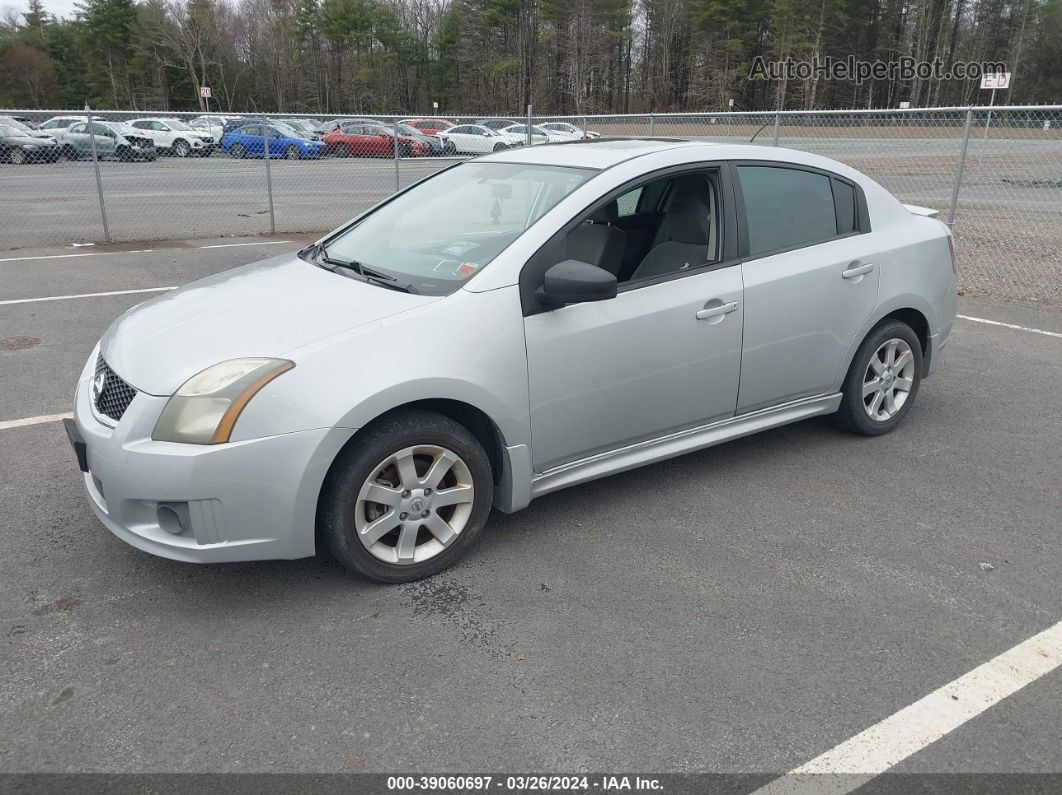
pixel 680 443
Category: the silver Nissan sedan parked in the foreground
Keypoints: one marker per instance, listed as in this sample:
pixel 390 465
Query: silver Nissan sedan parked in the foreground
pixel 515 325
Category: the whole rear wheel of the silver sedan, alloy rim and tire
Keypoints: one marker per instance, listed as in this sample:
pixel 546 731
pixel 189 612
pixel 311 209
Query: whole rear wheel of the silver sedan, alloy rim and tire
pixel 883 381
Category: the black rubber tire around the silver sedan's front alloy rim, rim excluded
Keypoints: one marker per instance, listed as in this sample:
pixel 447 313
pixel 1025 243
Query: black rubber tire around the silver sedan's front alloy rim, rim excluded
pixel 339 496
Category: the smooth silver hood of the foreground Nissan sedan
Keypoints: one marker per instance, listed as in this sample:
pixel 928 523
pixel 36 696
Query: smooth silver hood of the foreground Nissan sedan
pixel 266 309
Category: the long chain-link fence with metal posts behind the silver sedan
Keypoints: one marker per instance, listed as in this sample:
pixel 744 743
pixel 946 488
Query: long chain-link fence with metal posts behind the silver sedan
pixel 995 174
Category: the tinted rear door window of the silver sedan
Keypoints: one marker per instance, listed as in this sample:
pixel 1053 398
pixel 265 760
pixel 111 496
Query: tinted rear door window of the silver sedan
pixel 786 209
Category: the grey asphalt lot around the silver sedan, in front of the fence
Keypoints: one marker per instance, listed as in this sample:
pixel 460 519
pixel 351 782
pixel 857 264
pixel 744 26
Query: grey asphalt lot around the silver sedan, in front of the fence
pixel 746 609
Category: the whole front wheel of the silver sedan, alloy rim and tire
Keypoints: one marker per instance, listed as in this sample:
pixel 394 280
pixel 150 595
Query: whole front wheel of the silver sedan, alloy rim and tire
pixel 408 499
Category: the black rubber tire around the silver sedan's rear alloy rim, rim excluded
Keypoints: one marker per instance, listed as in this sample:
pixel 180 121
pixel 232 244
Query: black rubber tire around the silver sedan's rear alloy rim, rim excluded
pixel 853 414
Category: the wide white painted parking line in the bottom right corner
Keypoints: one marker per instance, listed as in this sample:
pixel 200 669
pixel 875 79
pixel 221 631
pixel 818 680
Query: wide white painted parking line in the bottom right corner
pixel 886 745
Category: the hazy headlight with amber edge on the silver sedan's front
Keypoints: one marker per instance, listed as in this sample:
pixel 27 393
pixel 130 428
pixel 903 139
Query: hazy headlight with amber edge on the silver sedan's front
pixel 207 407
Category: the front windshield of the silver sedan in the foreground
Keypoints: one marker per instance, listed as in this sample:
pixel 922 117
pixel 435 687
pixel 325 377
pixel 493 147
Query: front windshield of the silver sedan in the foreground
pixel 420 238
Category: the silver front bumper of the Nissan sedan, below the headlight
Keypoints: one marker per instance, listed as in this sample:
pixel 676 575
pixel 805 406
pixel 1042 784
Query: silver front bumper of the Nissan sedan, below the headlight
pixel 202 504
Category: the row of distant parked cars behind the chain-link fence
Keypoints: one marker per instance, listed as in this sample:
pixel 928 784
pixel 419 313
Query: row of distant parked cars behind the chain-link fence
pixel 76 137
